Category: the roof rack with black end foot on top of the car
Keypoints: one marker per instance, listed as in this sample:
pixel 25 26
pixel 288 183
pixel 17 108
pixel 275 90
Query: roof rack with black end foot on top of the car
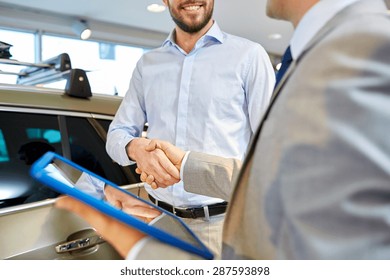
pixel 52 70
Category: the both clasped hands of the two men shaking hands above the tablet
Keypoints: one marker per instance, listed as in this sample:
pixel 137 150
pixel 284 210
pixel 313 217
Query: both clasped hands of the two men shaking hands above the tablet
pixel 158 162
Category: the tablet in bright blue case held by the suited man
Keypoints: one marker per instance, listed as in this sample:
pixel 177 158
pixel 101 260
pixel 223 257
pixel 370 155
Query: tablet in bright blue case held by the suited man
pixel 68 178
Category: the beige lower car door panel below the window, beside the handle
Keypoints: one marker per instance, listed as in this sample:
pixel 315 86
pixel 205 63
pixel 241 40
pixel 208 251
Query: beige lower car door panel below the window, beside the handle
pixel 25 232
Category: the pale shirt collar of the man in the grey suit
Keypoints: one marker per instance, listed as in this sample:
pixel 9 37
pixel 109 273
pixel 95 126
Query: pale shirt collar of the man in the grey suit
pixel 313 21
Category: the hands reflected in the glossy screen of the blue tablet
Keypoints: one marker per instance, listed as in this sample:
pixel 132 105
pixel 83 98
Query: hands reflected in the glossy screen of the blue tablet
pixel 130 204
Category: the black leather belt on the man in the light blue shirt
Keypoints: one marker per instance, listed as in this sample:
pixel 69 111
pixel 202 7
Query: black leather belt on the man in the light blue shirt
pixel 192 213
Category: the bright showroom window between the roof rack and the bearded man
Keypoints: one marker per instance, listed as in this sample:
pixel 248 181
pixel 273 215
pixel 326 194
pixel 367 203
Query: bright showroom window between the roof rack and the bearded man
pixel 109 66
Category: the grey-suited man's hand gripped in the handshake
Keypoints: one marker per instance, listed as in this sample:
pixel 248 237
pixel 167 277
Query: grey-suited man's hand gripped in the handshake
pixel 173 153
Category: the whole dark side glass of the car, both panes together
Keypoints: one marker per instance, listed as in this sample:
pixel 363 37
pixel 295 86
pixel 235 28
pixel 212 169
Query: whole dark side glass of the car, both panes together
pixel 24 137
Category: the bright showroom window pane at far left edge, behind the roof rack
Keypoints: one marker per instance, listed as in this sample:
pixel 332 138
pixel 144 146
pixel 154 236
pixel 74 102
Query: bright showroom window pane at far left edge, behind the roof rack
pixel 22 50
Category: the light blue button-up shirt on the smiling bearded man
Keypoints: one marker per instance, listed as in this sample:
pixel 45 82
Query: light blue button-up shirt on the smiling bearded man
pixel 210 100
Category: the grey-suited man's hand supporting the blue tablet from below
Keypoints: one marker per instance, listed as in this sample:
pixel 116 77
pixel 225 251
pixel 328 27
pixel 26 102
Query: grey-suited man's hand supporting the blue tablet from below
pixel 119 235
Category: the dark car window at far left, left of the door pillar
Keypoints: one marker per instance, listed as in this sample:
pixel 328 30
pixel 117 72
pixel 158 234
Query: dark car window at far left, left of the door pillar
pixel 23 137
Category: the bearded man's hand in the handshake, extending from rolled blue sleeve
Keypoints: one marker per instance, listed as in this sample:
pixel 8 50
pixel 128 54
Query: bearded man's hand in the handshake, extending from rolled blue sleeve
pixel 153 161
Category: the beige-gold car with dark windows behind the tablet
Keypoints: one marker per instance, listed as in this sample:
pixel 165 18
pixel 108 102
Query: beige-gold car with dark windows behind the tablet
pixel 35 120
